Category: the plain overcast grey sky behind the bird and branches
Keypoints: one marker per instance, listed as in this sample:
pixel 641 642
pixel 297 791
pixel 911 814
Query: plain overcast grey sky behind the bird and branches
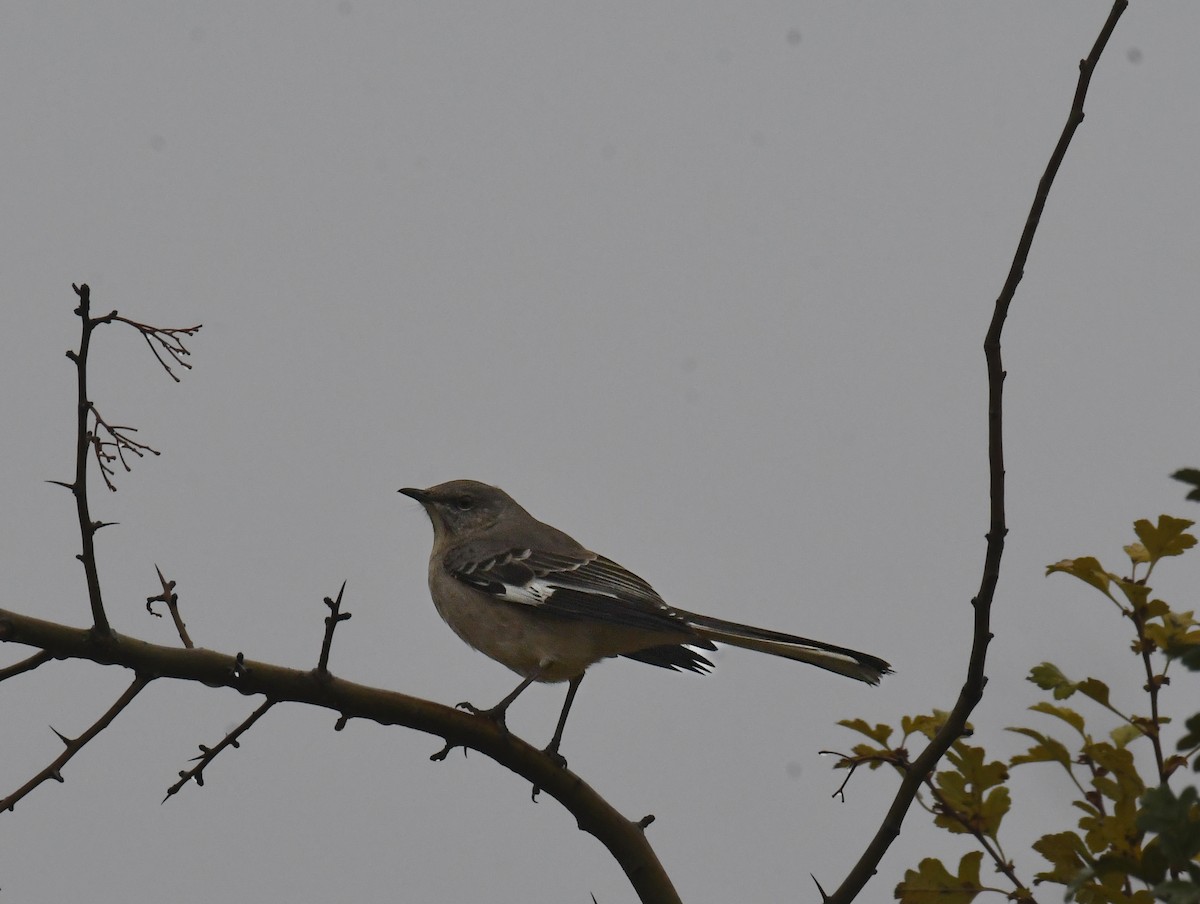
pixel 704 284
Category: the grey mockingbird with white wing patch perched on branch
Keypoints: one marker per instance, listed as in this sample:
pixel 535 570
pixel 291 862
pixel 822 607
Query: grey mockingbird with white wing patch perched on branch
pixel 536 601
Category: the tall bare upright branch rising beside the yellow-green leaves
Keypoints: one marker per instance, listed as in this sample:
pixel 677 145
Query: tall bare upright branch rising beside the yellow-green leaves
pixel 973 689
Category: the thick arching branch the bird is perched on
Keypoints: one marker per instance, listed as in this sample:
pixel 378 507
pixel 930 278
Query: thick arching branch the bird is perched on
pixel 625 839
